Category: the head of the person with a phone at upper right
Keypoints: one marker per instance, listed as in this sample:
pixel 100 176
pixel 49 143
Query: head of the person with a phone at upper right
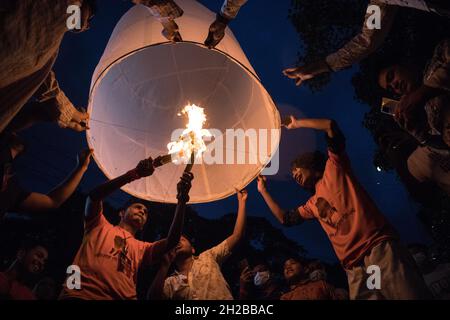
pixel 399 79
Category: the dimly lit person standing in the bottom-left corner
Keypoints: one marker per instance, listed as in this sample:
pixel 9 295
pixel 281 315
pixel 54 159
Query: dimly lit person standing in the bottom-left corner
pixel 30 262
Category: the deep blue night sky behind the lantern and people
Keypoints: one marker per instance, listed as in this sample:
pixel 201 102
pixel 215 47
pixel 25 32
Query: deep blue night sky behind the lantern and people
pixel 271 44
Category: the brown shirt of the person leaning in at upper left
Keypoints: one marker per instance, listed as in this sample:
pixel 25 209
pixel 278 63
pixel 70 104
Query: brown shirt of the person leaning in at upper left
pixel 31 35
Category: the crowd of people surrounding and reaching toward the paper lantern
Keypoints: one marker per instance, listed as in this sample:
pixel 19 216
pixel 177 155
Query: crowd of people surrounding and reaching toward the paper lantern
pixel 110 255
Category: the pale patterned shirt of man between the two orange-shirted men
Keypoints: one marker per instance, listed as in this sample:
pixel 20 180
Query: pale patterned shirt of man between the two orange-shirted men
pixel 204 281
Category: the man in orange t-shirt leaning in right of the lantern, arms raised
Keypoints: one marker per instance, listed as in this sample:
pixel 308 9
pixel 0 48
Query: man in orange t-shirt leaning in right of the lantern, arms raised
pixel 360 234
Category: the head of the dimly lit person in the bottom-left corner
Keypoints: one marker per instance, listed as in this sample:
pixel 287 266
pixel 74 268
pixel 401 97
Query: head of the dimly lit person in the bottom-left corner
pixel 31 257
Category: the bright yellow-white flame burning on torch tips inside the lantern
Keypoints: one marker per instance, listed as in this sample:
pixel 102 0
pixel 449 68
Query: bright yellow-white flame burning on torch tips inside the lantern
pixel 190 144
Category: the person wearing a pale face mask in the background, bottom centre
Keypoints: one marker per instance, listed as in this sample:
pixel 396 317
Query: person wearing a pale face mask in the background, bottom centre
pixel 258 283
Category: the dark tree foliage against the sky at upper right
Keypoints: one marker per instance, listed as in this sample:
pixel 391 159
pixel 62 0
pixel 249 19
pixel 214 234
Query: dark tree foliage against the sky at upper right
pixel 324 26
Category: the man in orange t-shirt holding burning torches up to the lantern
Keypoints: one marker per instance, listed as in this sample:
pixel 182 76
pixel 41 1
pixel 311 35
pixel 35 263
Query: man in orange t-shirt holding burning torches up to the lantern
pixel 110 256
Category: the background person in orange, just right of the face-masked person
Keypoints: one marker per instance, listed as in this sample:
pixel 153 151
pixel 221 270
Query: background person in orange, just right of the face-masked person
pixel 301 286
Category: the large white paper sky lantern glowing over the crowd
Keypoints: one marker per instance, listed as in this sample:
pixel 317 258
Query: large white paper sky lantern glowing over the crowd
pixel 142 83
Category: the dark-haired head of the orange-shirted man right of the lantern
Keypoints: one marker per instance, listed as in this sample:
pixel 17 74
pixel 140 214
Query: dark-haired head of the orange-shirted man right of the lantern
pixel 307 169
